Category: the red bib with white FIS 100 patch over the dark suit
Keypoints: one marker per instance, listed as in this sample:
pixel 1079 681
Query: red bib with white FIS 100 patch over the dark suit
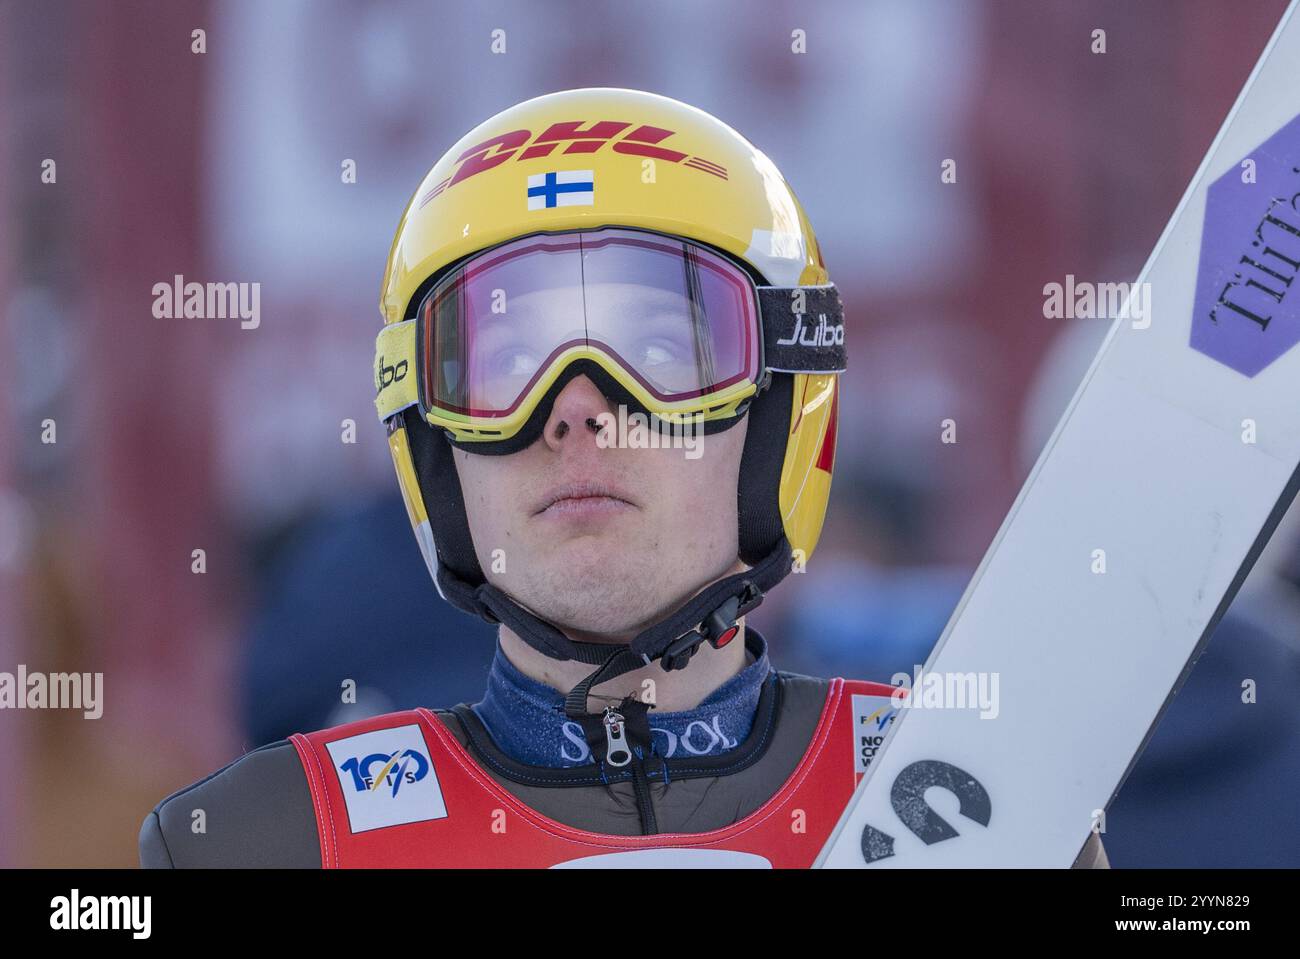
pixel 401 791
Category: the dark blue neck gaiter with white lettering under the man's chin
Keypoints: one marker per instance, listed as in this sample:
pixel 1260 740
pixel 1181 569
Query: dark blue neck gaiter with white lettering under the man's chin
pixel 527 721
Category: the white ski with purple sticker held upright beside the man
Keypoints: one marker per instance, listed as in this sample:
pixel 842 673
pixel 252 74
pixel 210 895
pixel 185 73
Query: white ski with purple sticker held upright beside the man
pixel 1163 481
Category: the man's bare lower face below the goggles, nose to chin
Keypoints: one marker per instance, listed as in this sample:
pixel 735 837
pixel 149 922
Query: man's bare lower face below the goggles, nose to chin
pixel 603 541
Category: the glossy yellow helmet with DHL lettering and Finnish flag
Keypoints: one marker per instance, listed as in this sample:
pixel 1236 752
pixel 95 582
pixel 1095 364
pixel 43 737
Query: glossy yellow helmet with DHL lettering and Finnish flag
pixel 639 163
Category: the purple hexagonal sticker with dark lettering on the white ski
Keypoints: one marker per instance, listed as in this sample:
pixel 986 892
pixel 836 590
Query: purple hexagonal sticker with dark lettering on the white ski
pixel 1247 309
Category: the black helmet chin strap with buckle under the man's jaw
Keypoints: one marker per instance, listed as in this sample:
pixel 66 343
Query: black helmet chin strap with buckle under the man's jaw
pixel 709 617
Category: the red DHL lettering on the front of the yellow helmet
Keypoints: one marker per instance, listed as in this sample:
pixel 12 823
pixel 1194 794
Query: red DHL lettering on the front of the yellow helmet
pixel 521 145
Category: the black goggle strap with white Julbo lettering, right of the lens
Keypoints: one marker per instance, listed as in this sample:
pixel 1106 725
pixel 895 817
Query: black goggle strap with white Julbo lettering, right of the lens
pixel 803 329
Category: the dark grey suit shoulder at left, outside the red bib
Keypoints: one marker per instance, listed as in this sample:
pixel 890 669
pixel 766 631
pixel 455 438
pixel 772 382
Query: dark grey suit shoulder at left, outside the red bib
pixel 254 813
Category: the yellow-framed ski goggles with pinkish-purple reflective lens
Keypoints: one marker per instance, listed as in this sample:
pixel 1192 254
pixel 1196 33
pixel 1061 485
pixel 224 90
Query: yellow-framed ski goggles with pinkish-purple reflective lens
pixel 674 324
